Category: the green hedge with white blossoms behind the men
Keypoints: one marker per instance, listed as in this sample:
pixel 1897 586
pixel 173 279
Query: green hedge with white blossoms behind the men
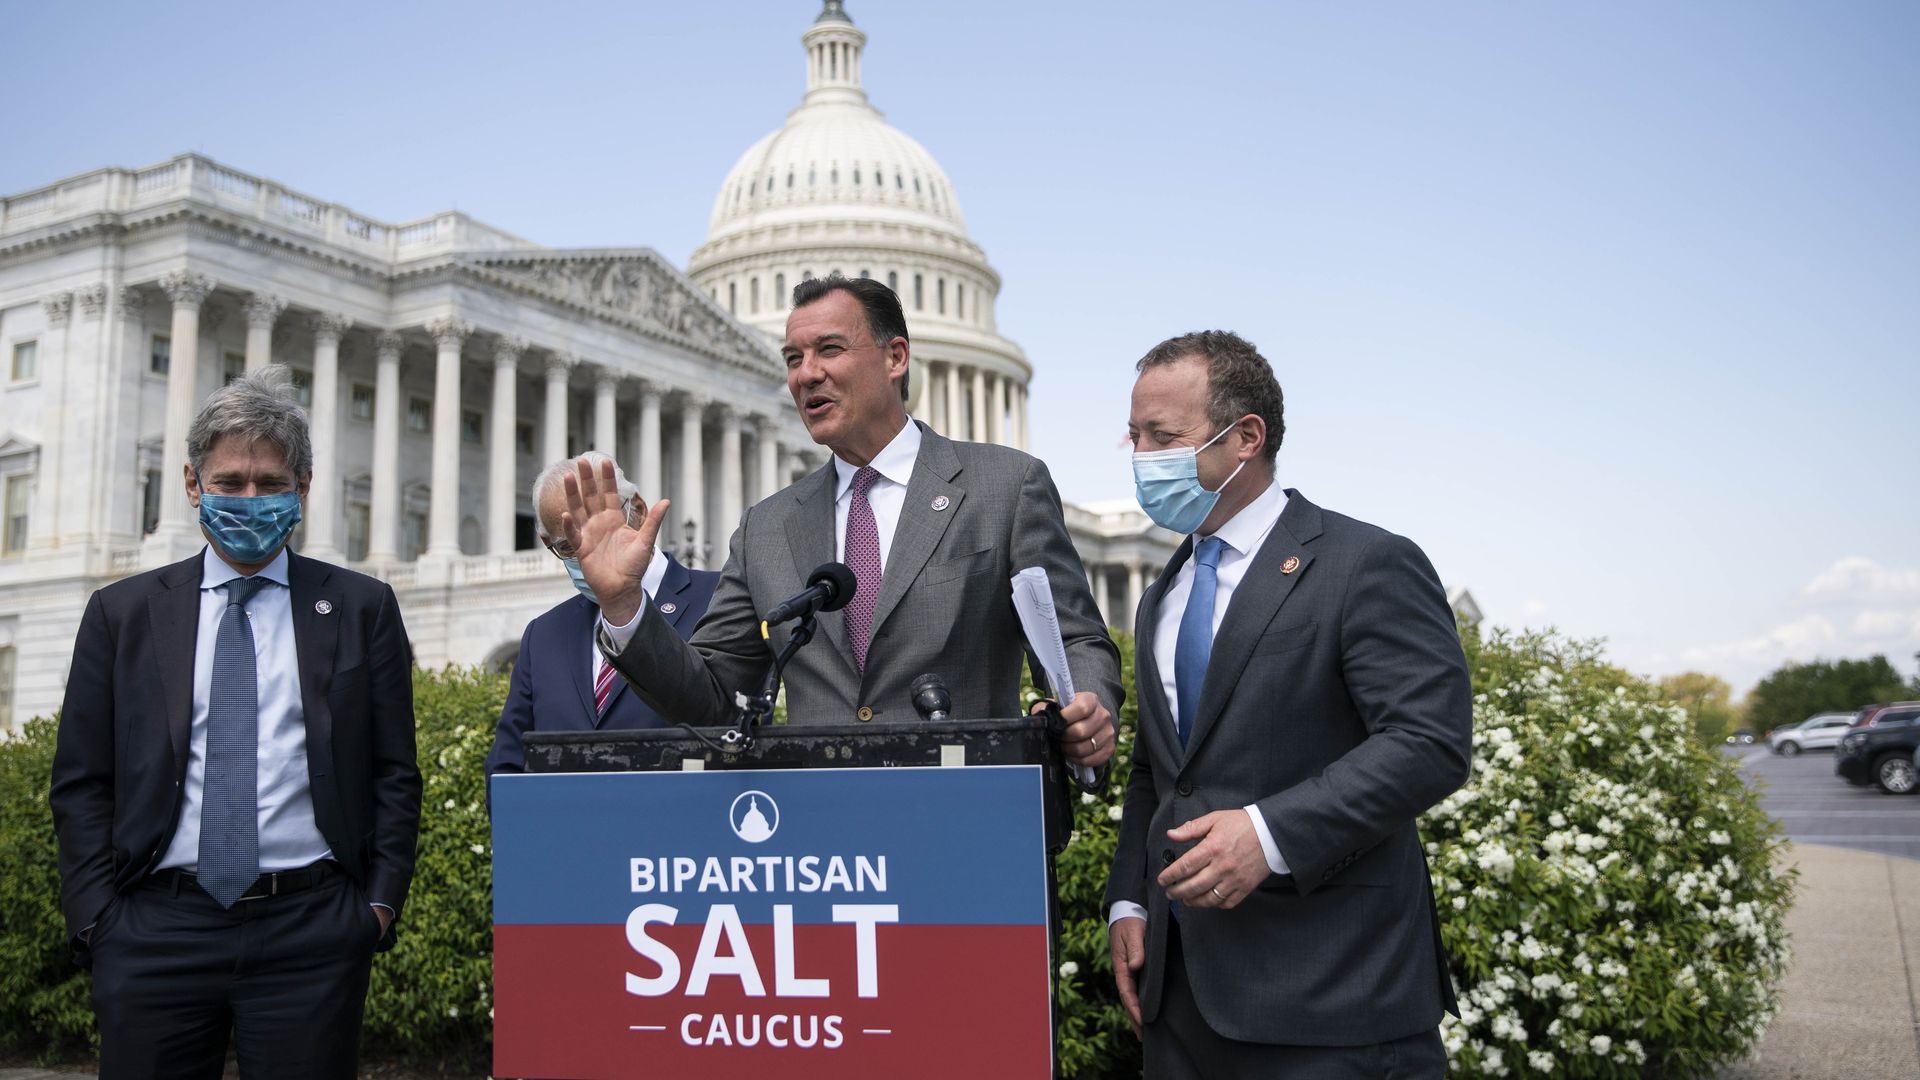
pixel 1608 889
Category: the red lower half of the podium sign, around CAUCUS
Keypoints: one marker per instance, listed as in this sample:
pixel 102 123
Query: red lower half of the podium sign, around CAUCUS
pixel 951 1002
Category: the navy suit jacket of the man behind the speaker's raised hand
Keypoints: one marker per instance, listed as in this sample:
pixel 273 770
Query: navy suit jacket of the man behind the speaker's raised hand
pixel 554 679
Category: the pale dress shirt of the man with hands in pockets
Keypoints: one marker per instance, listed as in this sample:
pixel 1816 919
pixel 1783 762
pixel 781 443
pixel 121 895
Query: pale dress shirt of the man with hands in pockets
pixel 289 839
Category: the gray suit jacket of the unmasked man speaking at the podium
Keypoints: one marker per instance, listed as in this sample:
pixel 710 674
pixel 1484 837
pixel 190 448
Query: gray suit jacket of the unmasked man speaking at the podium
pixel 946 602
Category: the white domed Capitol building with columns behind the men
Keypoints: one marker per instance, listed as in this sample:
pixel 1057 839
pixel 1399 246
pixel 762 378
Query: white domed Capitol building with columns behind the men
pixel 444 362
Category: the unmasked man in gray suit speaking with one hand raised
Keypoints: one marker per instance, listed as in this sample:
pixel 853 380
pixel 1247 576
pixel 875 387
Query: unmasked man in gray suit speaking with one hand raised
pixel 932 529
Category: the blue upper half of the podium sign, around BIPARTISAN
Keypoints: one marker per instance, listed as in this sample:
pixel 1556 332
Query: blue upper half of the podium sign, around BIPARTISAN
pixel 955 847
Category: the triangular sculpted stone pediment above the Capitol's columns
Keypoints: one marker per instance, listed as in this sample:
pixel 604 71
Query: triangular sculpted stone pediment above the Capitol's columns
pixel 635 287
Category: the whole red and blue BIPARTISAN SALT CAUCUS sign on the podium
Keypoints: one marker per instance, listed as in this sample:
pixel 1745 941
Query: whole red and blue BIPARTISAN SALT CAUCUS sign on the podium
pixel 771 923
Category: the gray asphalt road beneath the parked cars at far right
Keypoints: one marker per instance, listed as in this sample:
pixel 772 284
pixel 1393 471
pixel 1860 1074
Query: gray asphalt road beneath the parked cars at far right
pixel 1819 808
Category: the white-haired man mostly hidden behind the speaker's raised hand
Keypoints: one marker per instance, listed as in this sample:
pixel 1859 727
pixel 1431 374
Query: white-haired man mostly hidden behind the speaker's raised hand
pixel 562 681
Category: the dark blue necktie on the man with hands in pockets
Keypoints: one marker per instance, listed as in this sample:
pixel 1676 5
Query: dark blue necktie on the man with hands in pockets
pixel 229 789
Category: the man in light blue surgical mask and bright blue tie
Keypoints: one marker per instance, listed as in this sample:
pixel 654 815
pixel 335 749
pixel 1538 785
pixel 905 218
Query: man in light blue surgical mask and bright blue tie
pixel 1303 700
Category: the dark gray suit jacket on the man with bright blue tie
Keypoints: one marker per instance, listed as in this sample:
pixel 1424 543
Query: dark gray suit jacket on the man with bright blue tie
pixel 1337 700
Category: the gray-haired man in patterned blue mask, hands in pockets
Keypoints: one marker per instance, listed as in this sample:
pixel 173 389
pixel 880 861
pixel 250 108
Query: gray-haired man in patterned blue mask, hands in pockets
pixel 235 787
